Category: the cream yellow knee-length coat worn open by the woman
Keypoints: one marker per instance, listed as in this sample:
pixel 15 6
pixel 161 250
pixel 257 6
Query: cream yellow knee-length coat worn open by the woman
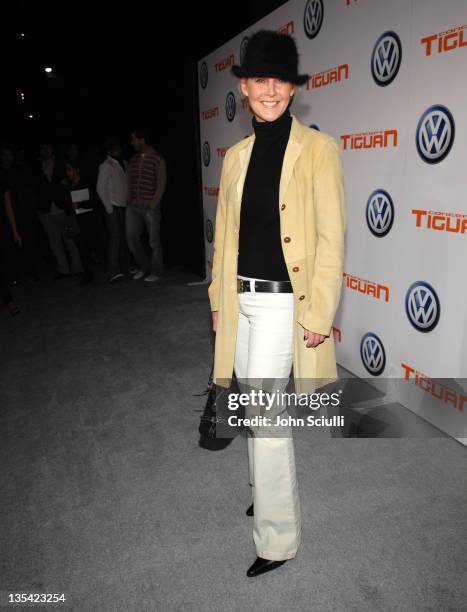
pixel 312 222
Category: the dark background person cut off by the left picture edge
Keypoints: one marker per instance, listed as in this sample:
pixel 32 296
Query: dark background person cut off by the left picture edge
pixel 7 222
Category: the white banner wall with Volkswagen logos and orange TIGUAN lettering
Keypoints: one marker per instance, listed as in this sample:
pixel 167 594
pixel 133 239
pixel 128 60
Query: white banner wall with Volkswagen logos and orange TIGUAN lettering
pixel 387 80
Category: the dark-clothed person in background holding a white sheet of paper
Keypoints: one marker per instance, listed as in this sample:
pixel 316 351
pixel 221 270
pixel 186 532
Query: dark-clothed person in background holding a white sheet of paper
pixel 80 200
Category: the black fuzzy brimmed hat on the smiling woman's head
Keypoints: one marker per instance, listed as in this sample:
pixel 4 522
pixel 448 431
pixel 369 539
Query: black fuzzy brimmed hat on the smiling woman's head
pixel 271 54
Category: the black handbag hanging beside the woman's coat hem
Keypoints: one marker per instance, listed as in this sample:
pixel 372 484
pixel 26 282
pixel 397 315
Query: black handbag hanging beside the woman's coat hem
pixel 215 431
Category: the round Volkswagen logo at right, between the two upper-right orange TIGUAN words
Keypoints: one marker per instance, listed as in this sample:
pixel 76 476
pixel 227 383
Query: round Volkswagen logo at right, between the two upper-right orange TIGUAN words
pixel 435 134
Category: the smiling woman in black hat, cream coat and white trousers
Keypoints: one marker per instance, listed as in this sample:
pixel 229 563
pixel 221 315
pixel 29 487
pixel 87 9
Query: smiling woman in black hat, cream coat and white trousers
pixel 277 273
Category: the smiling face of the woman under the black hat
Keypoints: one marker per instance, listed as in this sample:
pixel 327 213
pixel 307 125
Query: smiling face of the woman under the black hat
pixel 268 96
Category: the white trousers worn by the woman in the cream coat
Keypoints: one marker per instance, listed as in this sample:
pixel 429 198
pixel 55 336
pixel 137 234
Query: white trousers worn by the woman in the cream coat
pixel 264 350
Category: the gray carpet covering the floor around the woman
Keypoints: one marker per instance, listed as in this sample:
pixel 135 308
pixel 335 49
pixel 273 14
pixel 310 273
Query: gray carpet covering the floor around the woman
pixel 107 497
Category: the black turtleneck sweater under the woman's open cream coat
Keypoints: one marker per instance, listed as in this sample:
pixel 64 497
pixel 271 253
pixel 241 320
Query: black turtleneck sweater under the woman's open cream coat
pixel 260 249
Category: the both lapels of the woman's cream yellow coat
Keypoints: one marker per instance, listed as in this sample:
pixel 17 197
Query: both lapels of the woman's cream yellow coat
pixel 292 152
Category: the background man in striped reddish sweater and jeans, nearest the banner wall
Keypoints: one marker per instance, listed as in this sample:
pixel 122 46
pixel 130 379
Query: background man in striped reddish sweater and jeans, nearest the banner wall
pixel 147 178
